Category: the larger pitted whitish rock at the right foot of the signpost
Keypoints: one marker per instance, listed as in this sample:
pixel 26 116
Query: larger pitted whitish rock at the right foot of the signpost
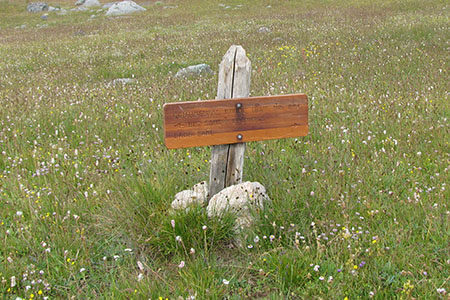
pixel 241 199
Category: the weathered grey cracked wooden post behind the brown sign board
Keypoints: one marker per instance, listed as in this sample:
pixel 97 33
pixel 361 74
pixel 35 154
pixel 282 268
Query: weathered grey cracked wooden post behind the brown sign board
pixel 227 161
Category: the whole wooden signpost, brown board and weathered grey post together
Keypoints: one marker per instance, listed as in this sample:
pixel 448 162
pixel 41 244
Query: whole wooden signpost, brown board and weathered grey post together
pixel 228 124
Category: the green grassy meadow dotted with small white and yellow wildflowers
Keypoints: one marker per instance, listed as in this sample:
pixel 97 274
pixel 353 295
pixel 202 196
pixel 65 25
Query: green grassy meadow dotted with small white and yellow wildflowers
pixel 359 206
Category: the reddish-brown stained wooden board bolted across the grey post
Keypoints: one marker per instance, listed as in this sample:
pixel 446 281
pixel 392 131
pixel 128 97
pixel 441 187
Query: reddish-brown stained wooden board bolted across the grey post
pixel 237 120
